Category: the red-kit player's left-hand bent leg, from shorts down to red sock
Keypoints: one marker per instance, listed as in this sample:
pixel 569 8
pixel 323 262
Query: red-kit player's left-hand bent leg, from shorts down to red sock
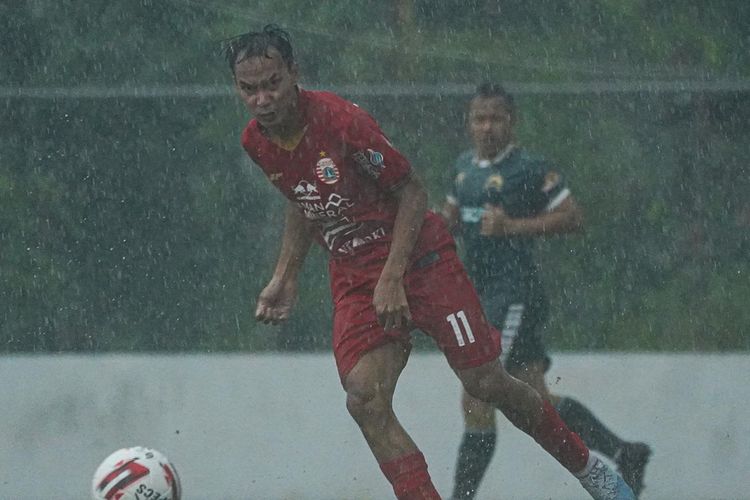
pixel 369 398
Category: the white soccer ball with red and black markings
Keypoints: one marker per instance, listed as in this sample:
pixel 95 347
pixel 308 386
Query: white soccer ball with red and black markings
pixel 136 473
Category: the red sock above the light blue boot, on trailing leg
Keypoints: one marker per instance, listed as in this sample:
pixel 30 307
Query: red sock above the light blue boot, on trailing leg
pixel 559 441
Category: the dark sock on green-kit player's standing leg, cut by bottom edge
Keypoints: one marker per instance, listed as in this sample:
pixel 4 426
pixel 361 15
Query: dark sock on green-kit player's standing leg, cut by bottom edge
pixel 474 456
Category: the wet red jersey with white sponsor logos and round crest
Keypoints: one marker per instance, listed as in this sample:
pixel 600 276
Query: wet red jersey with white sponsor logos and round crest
pixel 341 175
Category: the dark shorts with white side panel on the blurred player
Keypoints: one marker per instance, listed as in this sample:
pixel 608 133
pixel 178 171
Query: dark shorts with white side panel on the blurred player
pixel 521 321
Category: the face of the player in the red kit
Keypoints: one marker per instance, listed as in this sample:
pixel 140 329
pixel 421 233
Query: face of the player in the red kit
pixel 267 85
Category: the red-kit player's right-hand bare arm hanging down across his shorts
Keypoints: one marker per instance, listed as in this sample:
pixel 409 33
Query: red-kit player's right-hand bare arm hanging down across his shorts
pixel 389 297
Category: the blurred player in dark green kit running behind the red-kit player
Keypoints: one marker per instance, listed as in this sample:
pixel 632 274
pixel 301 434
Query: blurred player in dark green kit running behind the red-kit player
pixel 504 197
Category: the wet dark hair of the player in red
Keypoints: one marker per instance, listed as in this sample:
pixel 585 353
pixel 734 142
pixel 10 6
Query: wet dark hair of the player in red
pixel 257 43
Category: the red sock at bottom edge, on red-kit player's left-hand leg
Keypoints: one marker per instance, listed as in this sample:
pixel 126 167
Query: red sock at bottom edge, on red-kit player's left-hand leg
pixel 409 477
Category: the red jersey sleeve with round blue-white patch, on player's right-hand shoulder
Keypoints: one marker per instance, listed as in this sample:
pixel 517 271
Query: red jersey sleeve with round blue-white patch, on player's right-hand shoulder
pixel 374 155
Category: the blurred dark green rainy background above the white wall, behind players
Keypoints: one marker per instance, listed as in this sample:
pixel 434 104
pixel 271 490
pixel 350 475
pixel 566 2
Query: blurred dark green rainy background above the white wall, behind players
pixel 130 219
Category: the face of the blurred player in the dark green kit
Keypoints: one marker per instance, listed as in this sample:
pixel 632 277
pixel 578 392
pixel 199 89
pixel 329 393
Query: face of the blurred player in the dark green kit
pixel 490 125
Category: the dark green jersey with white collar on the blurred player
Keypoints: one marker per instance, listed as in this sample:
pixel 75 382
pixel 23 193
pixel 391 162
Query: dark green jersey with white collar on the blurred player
pixel 524 186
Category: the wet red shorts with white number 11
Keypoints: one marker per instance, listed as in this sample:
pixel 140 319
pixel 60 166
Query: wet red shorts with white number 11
pixel 442 301
